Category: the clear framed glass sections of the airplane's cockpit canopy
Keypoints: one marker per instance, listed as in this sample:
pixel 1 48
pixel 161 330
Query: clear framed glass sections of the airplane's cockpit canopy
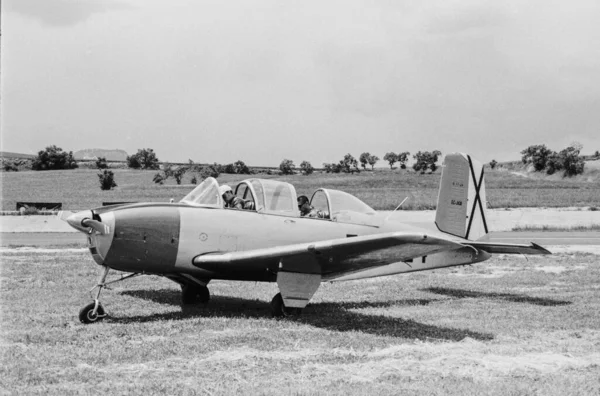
pixel 279 198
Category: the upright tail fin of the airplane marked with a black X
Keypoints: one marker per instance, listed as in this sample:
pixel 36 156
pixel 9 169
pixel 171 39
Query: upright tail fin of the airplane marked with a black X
pixel 461 207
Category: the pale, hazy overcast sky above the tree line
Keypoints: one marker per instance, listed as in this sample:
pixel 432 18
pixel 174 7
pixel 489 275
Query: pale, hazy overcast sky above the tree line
pixel 260 81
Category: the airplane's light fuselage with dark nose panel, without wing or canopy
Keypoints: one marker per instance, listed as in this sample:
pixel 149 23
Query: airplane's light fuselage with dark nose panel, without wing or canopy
pixel 160 238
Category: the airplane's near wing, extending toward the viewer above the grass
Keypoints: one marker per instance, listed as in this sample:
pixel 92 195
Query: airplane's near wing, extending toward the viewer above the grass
pixel 332 256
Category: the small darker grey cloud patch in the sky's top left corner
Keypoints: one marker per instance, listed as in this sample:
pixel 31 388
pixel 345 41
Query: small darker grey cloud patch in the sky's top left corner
pixel 63 13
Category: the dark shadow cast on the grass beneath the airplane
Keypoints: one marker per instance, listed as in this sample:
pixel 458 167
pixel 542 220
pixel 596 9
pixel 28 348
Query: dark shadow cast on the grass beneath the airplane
pixel 330 316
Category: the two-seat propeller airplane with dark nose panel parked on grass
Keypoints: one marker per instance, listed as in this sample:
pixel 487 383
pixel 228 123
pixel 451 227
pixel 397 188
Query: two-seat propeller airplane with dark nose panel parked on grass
pixel 196 240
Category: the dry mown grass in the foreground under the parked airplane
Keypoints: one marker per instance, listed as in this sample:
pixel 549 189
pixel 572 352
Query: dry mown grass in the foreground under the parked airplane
pixel 508 326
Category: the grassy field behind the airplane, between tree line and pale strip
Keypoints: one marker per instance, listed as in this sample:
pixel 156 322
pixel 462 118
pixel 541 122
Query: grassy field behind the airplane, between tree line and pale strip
pixel 382 189
